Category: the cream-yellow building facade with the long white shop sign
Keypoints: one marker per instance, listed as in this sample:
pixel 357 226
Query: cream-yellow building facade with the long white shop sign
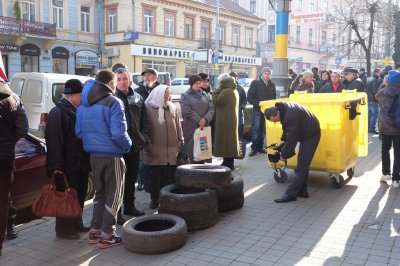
pixel 178 36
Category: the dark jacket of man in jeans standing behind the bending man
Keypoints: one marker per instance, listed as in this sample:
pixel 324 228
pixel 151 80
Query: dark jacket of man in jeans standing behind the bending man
pixel 259 91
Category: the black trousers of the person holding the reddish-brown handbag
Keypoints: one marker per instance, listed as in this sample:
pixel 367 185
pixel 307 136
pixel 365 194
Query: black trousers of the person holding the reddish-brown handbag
pixel 78 181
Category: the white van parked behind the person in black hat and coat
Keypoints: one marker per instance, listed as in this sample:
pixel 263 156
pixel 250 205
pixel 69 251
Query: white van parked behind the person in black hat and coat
pixel 38 93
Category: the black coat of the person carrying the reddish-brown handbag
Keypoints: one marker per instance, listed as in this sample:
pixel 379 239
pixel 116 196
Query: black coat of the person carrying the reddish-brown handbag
pixel 64 150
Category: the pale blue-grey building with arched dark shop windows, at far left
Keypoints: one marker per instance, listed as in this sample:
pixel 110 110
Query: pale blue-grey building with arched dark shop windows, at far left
pixel 55 36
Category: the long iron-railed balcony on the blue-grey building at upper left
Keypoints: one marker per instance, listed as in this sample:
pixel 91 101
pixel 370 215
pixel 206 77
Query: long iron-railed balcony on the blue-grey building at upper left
pixel 10 25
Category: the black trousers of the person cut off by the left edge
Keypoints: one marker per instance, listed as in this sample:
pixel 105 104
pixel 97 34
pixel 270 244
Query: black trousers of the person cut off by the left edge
pixel 6 177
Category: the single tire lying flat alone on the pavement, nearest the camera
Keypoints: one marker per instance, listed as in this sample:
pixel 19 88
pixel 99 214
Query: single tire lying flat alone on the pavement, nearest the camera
pixel 155 242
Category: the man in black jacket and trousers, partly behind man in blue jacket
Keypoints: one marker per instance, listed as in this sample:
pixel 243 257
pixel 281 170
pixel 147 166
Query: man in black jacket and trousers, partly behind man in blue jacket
pixel 139 131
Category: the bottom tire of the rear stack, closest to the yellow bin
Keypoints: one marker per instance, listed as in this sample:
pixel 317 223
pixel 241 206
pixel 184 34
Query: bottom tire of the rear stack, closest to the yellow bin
pixel 231 197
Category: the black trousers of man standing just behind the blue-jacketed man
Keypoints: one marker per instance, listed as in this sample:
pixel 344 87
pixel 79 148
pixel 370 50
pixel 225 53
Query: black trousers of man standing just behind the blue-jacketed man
pixel 132 160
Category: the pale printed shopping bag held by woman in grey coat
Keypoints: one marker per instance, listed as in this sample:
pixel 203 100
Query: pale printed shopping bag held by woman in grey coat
pixel 202 149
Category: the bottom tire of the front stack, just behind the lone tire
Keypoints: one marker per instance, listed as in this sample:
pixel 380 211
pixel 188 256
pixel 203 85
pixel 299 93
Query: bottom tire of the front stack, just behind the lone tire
pixel 197 220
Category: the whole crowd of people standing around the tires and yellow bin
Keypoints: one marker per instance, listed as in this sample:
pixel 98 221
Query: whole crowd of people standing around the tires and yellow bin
pixel 126 135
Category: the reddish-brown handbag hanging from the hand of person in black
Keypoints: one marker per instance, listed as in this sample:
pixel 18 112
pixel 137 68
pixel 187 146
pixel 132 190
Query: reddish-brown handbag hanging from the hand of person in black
pixel 52 203
